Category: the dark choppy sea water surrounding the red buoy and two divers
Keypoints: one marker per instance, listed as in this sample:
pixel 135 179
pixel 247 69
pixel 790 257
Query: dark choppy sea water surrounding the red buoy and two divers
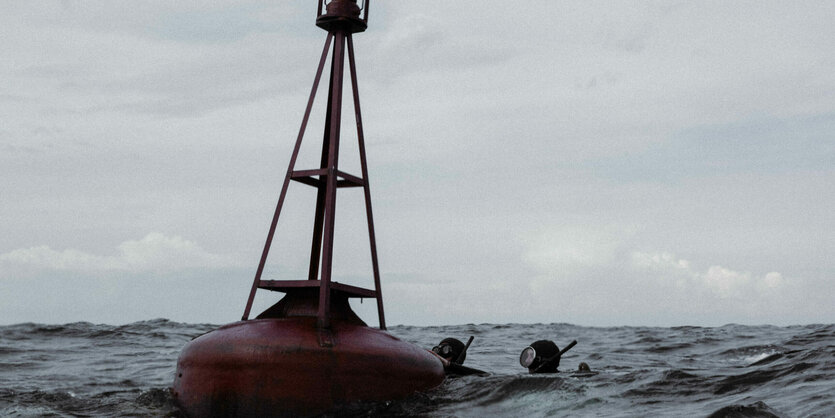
pixel 84 369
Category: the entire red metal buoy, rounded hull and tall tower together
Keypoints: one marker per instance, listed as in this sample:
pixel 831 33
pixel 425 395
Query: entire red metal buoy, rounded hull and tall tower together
pixel 309 352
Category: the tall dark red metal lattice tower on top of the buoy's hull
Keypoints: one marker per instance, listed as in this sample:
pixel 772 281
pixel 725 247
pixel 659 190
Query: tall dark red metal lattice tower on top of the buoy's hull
pixel 341 19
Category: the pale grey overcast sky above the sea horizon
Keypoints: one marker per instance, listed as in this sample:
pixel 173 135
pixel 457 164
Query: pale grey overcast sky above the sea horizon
pixel 653 163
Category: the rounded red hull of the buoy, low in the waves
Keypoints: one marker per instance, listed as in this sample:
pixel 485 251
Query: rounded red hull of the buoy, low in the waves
pixel 287 367
